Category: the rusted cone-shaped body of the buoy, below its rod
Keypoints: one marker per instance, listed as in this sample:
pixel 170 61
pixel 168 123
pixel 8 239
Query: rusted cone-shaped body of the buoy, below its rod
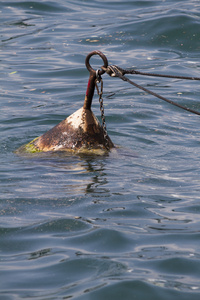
pixel 80 130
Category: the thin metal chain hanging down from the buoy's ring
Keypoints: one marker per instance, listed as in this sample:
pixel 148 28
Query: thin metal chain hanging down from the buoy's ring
pixel 100 93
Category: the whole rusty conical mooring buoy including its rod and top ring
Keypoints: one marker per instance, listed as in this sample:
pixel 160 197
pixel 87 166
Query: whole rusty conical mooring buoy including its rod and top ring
pixel 81 131
